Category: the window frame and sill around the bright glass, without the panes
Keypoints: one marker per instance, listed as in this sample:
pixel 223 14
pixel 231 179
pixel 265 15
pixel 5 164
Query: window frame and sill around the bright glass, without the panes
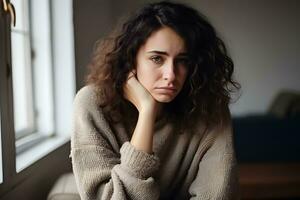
pixel 63 84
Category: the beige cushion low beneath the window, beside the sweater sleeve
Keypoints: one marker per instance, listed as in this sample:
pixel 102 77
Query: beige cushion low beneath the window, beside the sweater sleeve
pixel 64 188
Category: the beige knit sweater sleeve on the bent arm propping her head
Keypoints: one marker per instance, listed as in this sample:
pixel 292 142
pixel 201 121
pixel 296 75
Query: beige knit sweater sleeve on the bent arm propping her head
pixel 102 170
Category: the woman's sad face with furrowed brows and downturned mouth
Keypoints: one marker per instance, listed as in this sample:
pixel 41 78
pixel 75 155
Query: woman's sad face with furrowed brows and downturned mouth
pixel 162 64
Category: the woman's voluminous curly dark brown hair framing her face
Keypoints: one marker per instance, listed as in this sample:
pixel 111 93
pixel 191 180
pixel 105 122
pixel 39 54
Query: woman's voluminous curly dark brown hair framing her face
pixel 207 90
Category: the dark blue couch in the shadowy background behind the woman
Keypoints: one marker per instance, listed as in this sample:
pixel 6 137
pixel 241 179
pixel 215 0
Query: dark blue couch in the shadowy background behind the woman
pixel 266 138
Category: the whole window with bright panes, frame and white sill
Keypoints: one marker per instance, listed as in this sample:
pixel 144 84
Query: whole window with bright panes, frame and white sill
pixel 37 82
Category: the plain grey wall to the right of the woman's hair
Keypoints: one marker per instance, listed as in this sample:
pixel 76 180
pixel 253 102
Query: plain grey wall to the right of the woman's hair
pixel 263 38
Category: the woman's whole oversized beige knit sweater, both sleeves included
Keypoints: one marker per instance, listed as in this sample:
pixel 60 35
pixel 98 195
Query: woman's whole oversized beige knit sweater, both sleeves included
pixel 195 164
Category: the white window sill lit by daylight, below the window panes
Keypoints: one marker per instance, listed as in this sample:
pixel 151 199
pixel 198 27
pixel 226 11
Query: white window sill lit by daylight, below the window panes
pixel 30 156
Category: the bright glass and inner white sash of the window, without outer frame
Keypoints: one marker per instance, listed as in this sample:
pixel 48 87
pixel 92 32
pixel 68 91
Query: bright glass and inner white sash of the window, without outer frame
pixel 32 75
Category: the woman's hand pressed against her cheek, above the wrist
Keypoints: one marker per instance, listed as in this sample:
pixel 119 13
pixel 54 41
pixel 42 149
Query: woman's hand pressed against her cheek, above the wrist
pixel 135 92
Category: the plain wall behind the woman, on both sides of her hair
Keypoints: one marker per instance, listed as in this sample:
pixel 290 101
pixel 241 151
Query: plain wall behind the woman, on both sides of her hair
pixel 262 38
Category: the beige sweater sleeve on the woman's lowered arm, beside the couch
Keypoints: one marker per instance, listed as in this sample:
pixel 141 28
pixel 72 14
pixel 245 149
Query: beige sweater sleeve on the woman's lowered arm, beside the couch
pixel 217 174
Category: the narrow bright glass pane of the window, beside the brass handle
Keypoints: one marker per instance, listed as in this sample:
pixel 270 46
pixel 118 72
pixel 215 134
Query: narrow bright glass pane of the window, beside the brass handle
pixel 22 73
